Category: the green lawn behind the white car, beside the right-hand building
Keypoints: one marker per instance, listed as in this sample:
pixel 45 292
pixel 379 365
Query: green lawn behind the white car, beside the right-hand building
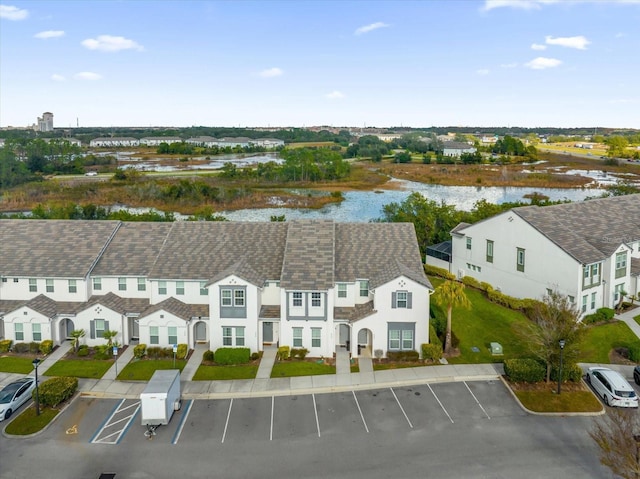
pixel 601 339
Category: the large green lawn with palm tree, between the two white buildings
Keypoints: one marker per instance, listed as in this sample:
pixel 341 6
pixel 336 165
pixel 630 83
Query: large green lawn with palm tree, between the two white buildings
pixel 484 323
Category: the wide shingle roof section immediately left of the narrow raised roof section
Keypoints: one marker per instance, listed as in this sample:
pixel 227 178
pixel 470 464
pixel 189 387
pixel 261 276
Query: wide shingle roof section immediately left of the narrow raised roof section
pixel 200 250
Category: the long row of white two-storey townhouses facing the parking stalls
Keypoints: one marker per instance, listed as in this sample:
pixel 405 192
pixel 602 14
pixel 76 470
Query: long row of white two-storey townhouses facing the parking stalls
pixel 313 284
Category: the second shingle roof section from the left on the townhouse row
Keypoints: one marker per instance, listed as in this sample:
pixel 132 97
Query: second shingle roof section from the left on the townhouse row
pixel 133 250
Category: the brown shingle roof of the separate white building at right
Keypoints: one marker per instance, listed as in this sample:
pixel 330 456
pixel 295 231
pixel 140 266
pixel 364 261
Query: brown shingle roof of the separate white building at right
pixel 591 230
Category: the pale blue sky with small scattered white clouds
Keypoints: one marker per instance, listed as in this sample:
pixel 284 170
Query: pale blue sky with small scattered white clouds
pixel 531 63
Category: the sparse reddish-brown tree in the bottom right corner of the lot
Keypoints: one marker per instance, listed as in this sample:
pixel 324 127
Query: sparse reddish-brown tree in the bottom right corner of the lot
pixel 618 436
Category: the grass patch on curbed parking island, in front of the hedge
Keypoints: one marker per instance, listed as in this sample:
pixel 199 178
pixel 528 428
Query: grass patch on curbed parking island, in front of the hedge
pixel 569 401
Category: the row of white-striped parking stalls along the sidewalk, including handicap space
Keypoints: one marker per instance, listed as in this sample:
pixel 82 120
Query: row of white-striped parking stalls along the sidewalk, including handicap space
pixel 313 416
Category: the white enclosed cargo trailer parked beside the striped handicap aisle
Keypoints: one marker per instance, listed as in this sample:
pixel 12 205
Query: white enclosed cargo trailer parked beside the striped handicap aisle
pixel 160 398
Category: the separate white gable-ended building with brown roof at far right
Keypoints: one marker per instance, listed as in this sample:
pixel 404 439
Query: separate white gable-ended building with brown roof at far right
pixel 588 251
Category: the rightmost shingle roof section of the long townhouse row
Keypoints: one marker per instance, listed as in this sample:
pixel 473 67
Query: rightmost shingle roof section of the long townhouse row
pixel 378 252
